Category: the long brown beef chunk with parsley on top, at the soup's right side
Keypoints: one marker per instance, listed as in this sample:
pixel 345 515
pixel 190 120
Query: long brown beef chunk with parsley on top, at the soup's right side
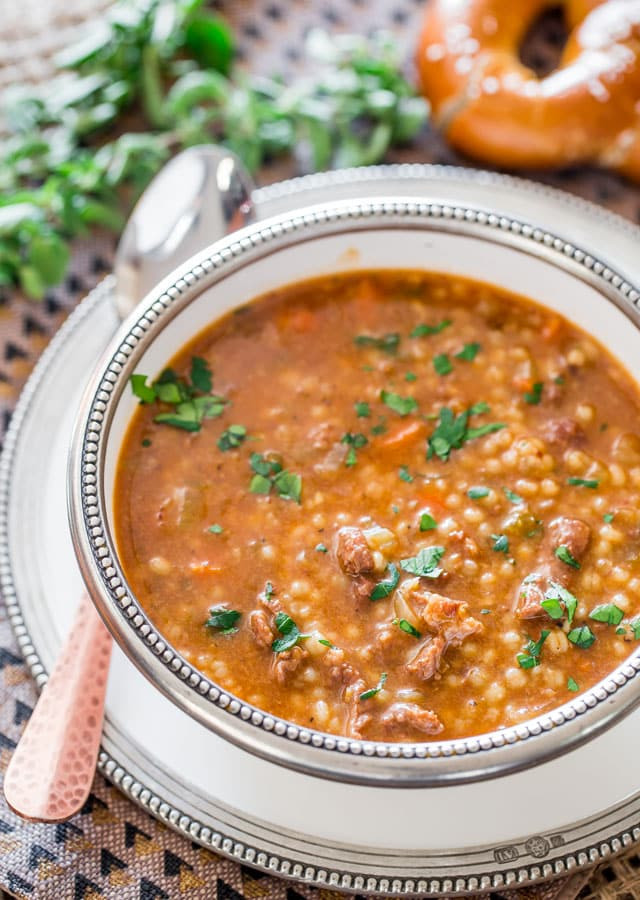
pixel 574 534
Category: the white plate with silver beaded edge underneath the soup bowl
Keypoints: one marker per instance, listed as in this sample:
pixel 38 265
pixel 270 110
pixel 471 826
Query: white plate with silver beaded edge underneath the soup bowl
pixel 523 827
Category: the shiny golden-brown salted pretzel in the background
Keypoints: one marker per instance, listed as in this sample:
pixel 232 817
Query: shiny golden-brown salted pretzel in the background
pixel 494 108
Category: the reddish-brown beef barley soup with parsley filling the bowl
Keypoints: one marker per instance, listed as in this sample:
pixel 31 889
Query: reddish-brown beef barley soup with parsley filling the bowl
pixel 391 505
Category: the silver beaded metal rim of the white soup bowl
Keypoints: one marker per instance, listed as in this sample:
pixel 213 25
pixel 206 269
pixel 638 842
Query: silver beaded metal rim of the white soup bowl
pixel 378 761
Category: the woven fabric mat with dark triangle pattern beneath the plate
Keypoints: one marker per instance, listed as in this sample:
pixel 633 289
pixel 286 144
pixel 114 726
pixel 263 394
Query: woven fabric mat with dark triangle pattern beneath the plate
pixel 112 849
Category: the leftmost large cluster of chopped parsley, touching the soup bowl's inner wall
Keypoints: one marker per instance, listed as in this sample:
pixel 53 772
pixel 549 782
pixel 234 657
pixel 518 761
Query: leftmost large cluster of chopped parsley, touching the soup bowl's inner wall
pixel 192 399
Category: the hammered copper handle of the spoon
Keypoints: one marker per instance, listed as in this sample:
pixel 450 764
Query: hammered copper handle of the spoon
pixel 51 771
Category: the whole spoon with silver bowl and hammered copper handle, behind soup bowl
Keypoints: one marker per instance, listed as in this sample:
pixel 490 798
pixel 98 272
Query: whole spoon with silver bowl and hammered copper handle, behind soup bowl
pixel 199 196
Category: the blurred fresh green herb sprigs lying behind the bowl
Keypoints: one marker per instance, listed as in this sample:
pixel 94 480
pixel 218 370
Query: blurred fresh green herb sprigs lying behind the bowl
pixel 168 66
